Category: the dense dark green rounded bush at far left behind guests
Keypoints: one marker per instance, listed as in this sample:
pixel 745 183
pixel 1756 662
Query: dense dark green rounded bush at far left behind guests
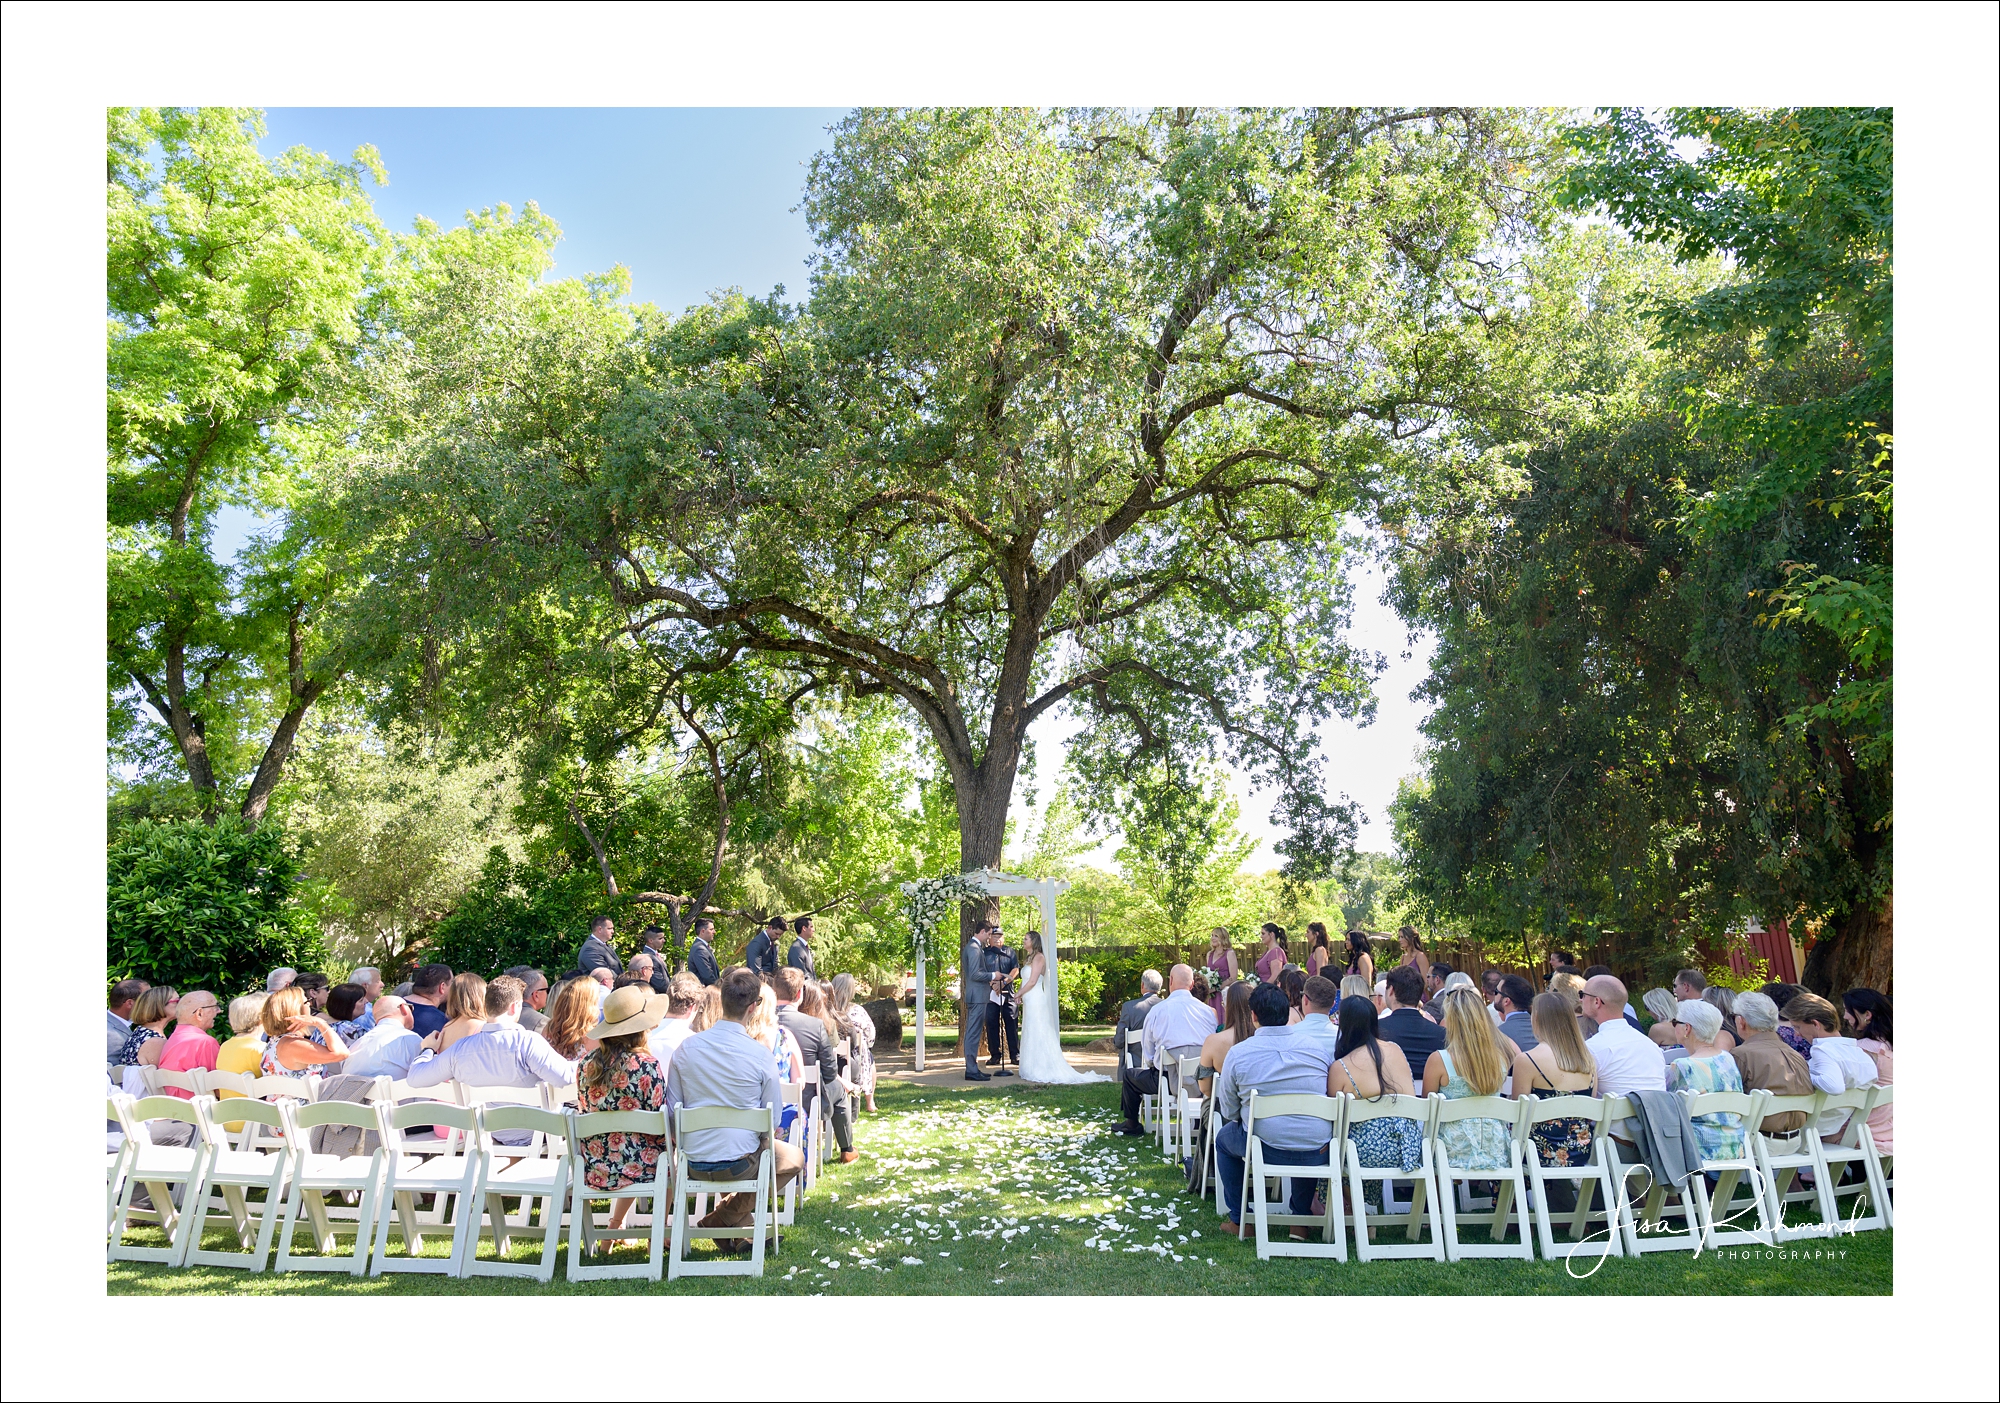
pixel 203 906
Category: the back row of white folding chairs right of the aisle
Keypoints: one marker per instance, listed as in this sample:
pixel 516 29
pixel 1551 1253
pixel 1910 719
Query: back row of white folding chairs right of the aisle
pixel 1605 1216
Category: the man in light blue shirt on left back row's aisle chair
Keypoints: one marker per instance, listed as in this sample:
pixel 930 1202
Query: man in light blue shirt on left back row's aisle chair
pixel 725 1066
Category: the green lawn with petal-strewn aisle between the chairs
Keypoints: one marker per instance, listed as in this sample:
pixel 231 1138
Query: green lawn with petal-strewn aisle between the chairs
pixel 1027 1192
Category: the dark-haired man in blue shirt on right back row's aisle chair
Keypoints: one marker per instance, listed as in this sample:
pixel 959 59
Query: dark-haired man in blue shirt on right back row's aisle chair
pixel 1277 1062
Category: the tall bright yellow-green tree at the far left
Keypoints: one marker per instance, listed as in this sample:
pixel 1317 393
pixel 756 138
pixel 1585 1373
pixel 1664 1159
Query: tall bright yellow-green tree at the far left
pixel 239 289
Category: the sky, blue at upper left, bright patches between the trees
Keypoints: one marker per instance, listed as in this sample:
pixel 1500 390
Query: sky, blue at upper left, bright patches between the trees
pixel 697 201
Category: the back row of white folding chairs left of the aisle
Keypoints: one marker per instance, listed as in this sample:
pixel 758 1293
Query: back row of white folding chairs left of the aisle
pixel 467 1166
